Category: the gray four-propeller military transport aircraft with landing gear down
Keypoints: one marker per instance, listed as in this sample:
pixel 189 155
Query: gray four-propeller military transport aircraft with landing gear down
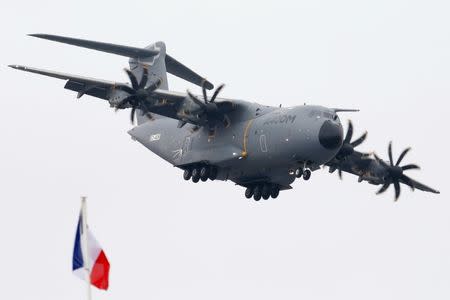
pixel 259 147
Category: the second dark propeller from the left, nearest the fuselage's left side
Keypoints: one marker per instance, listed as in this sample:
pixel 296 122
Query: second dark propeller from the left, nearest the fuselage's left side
pixel 213 111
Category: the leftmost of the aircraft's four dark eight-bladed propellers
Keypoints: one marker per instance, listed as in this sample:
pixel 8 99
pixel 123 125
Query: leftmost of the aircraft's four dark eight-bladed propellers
pixel 138 93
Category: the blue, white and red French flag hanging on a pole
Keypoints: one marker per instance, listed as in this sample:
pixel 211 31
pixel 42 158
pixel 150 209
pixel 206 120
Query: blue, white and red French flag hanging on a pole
pixel 97 264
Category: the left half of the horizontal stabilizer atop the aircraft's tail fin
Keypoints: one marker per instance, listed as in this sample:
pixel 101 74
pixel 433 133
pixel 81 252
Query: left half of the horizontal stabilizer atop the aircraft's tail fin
pixel 105 47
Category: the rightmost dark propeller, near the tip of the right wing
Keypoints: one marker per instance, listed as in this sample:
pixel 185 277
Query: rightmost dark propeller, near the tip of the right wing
pixel 395 174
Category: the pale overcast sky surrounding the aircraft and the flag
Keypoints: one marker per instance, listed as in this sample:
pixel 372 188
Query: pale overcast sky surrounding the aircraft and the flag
pixel 171 239
